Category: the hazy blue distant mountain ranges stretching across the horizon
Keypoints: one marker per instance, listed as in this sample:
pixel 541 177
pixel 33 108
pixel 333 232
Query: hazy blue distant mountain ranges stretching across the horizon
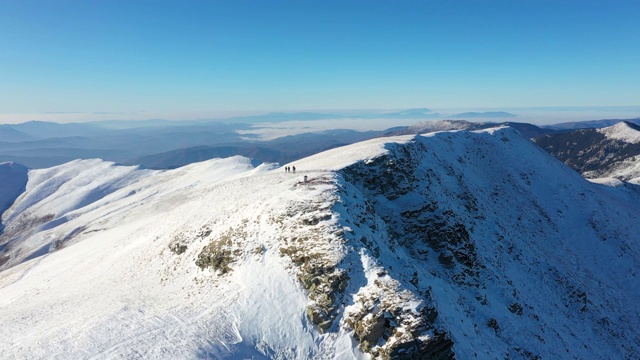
pixel 168 144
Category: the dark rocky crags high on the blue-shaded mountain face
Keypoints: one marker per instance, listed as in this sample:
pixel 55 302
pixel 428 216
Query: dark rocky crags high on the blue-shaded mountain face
pixel 422 225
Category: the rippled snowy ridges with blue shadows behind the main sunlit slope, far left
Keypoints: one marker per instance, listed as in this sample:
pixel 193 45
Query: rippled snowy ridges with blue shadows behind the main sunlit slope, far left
pixel 96 191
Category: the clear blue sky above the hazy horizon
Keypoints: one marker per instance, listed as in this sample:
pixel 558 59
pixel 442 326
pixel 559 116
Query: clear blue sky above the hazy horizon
pixel 133 56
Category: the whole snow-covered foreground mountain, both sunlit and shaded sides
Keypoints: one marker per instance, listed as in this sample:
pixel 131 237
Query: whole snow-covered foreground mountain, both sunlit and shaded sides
pixel 467 244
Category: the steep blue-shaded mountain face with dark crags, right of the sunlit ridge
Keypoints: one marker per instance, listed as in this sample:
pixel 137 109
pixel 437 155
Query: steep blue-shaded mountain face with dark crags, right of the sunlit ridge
pixel 508 262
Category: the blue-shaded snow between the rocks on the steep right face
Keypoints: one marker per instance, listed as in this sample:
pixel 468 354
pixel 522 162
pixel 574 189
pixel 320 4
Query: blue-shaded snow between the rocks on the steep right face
pixel 543 234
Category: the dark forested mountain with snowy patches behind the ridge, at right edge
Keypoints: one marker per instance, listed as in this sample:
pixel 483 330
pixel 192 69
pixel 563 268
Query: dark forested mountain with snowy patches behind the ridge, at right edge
pixel 612 151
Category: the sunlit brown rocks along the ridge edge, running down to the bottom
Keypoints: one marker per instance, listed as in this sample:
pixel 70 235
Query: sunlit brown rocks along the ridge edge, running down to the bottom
pixel 388 320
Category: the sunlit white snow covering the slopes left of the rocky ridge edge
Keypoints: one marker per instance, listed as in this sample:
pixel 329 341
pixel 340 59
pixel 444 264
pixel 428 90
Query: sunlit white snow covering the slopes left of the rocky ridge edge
pixel 117 291
